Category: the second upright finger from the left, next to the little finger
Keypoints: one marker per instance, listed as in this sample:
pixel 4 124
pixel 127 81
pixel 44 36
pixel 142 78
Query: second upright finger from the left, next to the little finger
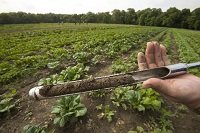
pixel 150 55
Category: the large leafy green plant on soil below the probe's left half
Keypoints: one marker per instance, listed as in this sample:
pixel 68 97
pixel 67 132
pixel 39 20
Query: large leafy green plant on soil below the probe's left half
pixel 67 109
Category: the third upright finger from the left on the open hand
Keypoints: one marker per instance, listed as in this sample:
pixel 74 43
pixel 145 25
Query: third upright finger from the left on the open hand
pixel 157 53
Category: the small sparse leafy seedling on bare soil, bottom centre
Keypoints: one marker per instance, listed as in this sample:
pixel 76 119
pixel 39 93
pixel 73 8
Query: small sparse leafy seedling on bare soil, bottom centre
pixel 107 112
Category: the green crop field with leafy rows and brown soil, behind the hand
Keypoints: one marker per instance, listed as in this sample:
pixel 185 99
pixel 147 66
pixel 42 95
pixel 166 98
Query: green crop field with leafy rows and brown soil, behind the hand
pixel 51 54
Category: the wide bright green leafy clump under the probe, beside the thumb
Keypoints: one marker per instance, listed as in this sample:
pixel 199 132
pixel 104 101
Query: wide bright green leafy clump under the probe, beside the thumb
pixel 140 99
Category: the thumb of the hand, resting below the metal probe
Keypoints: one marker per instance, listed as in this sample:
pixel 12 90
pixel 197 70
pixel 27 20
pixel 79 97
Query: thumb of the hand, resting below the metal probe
pixel 159 85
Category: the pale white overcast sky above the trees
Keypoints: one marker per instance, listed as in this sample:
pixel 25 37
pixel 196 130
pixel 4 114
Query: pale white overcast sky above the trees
pixel 83 6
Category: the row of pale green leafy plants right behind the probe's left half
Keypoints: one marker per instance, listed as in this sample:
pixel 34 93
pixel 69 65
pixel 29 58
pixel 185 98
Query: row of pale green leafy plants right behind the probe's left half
pixel 70 73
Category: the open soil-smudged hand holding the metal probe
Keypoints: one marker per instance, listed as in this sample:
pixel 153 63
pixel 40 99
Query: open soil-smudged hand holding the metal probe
pixel 183 89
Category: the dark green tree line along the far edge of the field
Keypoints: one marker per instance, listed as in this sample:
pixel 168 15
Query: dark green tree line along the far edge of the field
pixel 173 17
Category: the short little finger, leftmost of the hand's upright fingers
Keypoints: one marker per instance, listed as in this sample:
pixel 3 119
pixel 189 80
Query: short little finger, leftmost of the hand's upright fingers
pixel 141 61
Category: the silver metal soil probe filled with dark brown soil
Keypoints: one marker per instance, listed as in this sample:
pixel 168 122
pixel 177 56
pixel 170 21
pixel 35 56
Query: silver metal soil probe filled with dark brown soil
pixel 110 81
